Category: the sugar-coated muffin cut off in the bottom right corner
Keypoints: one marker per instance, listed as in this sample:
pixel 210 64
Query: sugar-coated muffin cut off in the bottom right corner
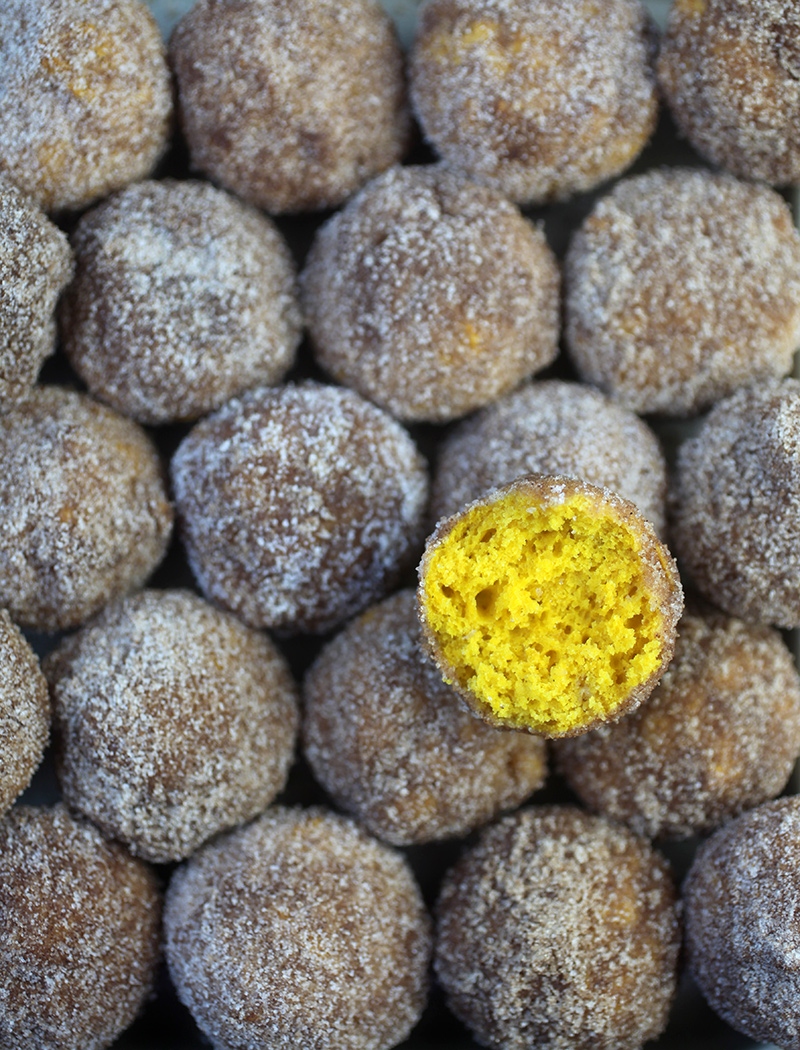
pixel 742 900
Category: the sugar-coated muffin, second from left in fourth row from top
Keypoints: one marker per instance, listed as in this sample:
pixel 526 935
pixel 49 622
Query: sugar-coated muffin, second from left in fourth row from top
pixel 175 722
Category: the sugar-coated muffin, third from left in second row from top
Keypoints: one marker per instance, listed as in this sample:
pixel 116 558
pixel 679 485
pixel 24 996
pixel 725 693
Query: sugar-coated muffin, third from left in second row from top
pixel 431 296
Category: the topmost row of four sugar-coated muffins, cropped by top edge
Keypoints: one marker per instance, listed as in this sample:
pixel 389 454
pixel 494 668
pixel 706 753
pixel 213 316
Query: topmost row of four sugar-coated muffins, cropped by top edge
pixel 294 109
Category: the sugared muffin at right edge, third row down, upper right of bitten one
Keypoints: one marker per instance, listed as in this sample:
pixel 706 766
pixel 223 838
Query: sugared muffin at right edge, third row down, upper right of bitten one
pixel 736 505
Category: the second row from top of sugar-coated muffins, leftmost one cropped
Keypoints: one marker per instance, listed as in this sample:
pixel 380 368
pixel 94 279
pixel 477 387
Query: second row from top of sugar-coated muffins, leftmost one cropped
pixel 427 293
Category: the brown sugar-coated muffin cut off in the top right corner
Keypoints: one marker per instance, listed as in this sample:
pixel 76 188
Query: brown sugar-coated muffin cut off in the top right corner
pixel 730 73
